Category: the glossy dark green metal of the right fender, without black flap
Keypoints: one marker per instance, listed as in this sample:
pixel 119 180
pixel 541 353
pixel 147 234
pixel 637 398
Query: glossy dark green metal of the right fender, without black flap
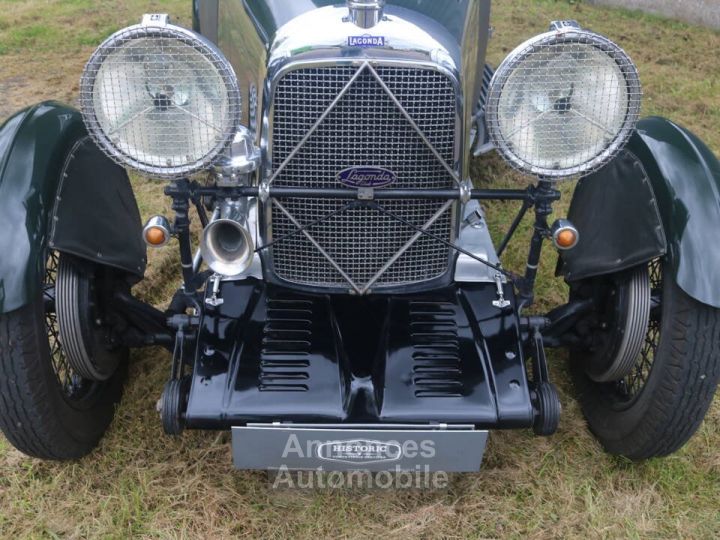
pixel 685 176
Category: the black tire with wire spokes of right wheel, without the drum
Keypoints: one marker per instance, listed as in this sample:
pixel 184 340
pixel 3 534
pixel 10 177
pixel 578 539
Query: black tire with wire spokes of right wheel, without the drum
pixel 678 372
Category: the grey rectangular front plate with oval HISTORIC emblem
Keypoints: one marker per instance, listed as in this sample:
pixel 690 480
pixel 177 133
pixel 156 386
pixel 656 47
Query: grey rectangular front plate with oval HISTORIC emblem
pixel 451 448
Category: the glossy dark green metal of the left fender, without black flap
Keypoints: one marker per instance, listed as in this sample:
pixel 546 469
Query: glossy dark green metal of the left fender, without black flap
pixel 33 146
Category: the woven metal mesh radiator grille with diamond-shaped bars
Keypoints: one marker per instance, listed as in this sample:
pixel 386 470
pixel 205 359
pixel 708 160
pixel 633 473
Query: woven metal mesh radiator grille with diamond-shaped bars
pixel 364 128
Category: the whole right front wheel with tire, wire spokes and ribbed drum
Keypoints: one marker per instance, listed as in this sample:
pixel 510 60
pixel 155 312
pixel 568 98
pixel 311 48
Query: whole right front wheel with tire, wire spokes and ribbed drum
pixel 653 404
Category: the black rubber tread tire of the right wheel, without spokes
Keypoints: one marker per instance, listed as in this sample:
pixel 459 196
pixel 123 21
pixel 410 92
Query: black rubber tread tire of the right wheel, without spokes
pixel 687 363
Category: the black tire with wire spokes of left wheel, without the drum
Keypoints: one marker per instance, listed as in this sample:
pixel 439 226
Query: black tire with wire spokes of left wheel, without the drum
pixel 46 410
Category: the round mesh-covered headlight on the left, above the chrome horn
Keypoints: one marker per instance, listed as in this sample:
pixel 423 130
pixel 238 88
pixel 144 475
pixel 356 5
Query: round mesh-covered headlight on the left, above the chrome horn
pixel 160 99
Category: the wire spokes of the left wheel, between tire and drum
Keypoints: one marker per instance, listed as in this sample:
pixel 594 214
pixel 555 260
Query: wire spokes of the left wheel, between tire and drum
pixel 74 387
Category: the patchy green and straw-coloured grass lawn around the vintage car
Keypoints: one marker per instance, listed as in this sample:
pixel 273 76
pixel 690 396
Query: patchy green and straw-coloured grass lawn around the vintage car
pixel 142 483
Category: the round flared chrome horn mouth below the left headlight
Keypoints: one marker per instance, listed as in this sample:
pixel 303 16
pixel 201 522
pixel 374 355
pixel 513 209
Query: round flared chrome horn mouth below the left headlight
pixel 227 247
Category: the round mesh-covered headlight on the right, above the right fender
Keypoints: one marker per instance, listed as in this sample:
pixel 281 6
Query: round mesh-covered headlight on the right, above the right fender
pixel 564 103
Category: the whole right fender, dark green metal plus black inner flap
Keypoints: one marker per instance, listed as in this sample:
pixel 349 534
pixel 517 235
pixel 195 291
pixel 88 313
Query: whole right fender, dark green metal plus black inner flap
pixel 659 197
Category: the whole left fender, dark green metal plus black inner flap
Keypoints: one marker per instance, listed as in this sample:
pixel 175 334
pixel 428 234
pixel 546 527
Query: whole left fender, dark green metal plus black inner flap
pixel 58 190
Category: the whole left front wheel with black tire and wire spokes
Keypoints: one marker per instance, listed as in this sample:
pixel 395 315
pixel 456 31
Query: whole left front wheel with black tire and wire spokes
pixel 48 409
